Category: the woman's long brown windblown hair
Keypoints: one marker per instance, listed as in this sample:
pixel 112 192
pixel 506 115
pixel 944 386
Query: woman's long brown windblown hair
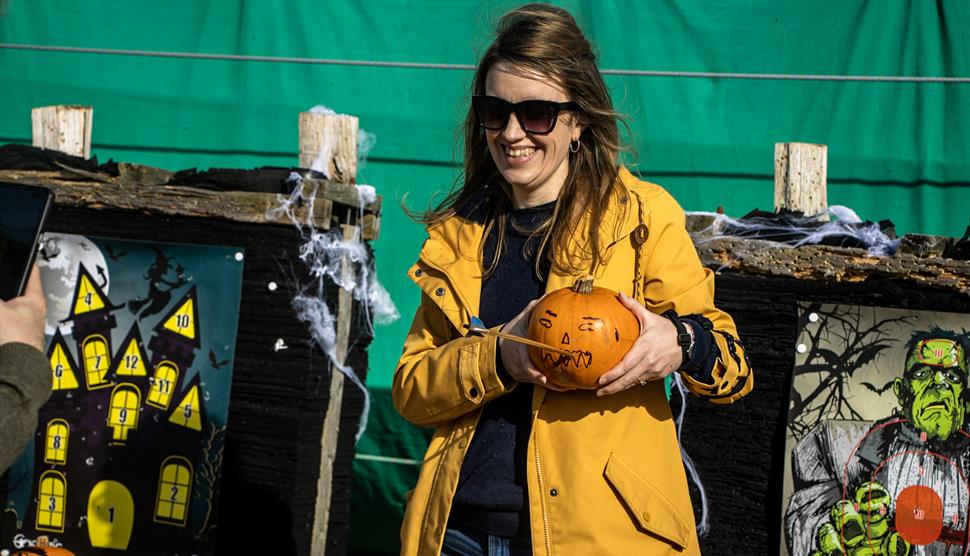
pixel 546 40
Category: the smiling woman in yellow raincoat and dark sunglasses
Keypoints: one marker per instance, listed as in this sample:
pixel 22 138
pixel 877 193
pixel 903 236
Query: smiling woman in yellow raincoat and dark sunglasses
pixel 516 465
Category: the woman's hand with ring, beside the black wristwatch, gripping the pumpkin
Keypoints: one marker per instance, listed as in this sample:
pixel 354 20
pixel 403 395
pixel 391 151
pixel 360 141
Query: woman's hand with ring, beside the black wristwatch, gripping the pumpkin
pixel 654 355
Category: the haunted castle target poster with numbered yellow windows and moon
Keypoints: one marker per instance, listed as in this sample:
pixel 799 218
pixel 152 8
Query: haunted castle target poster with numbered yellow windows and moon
pixel 128 450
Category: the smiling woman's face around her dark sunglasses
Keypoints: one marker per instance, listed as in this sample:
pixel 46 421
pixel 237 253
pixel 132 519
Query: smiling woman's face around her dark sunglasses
pixel 535 166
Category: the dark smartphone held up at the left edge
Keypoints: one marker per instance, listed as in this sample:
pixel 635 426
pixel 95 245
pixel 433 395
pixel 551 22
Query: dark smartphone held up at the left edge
pixel 23 211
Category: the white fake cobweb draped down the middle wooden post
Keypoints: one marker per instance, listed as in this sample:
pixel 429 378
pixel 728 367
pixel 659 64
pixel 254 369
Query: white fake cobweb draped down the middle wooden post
pixel 334 260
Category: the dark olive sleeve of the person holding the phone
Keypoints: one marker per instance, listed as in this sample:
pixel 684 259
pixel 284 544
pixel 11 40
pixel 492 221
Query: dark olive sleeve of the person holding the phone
pixel 25 384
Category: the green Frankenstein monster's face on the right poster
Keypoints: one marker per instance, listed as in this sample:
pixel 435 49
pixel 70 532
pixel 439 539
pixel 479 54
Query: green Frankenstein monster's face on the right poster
pixel 932 388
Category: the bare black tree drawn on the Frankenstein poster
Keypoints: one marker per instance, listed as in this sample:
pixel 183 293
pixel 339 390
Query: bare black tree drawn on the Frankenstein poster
pixel 853 343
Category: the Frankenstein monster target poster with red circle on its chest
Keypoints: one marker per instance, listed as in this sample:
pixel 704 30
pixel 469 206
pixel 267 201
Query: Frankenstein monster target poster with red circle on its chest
pixel 878 448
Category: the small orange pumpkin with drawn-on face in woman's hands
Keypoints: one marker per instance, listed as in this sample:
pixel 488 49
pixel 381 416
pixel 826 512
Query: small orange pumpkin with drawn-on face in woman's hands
pixel 587 321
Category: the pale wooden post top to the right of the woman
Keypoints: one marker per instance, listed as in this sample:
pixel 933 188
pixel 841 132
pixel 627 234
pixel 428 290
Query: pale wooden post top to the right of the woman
pixel 800 174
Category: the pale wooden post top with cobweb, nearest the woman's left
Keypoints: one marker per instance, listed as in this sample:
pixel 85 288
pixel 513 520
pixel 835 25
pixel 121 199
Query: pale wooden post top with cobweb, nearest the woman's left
pixel 328 144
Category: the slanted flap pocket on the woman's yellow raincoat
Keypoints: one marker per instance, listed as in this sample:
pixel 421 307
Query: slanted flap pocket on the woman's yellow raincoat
pixel 649 506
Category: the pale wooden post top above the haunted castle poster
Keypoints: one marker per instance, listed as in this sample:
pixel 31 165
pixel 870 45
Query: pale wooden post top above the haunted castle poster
pixel 63 128
